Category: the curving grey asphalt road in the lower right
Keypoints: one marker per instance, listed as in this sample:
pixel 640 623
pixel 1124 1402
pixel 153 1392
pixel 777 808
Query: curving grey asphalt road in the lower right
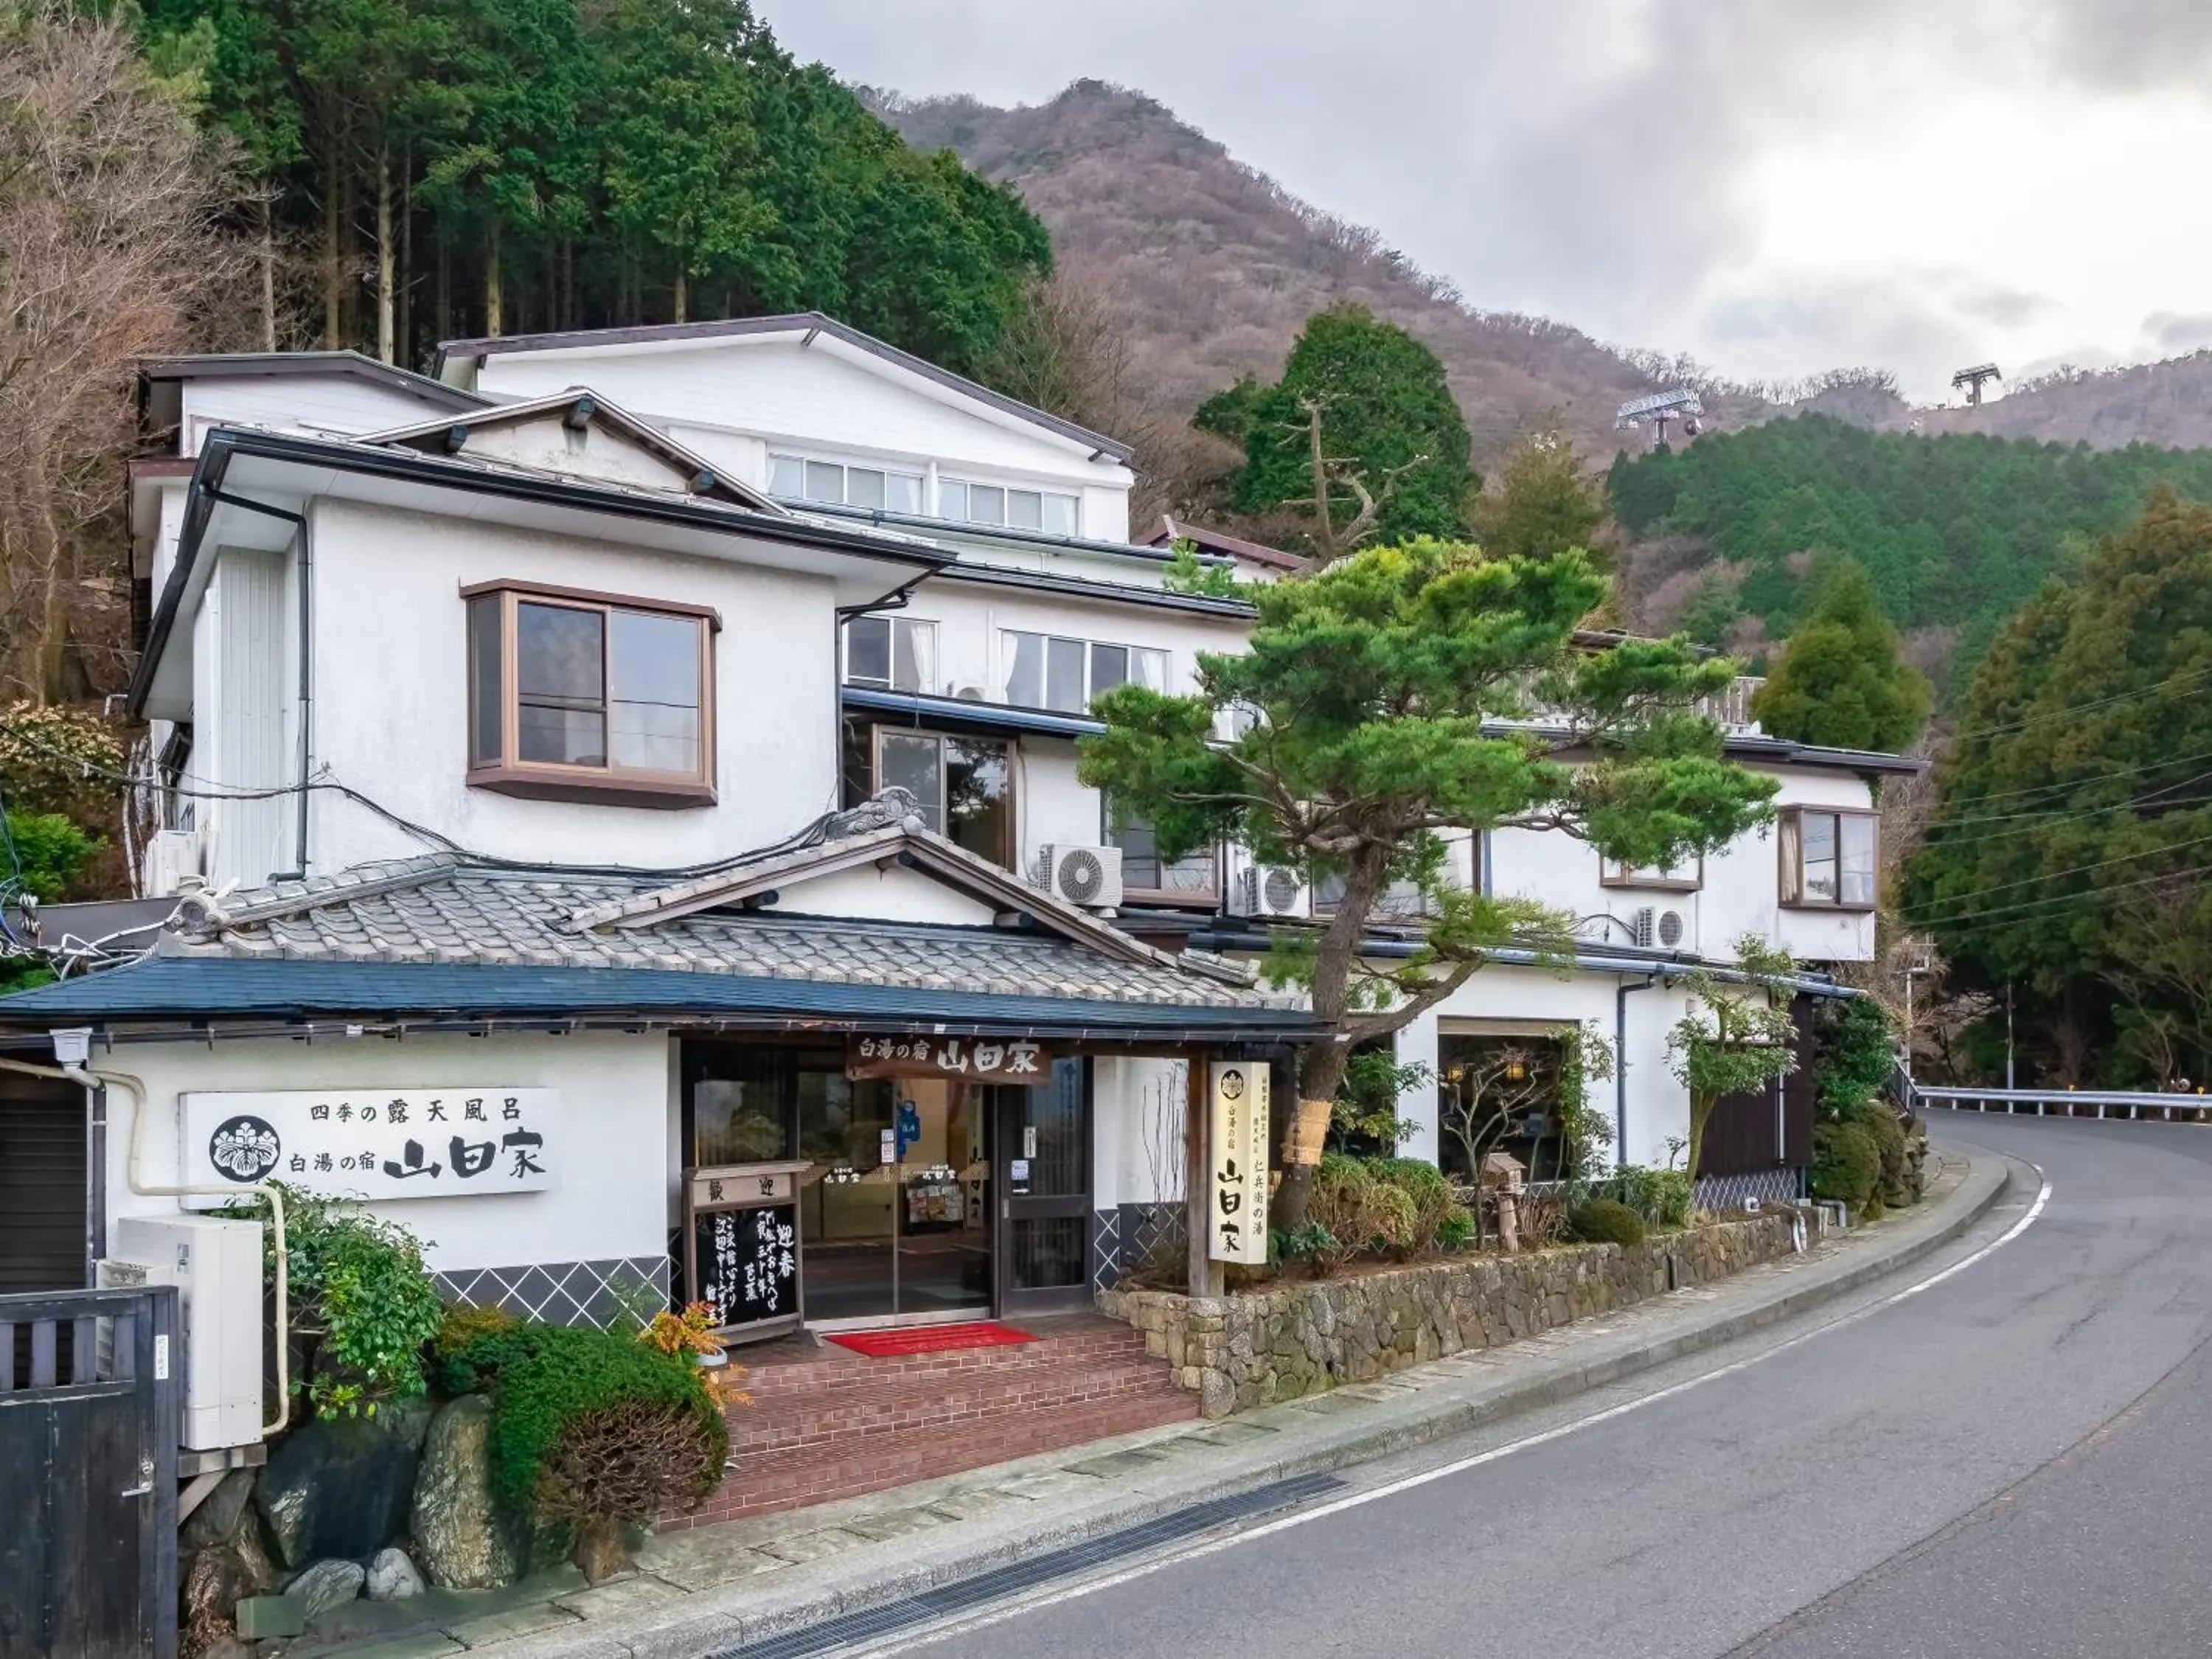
pixel 2010 1463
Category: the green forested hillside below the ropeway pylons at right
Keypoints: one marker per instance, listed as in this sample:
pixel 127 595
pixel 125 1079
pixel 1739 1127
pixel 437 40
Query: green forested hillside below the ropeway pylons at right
pixel 1954 530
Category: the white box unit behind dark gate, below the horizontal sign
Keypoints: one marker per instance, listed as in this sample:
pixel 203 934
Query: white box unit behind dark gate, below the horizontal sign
pixel 216 1269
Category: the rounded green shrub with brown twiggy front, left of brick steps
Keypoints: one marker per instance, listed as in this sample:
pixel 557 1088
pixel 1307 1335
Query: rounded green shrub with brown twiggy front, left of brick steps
pixel 556 1379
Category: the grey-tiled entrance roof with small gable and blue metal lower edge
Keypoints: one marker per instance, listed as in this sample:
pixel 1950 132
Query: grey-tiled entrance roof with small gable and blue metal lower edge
pixel 444 930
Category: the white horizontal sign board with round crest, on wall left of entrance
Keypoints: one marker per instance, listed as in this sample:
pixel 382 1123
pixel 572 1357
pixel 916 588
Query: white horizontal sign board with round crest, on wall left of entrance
pixel 377 1142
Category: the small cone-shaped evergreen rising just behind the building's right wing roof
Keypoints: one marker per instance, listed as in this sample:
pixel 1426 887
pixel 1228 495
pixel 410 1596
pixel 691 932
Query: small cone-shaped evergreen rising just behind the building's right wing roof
pixel 1839 680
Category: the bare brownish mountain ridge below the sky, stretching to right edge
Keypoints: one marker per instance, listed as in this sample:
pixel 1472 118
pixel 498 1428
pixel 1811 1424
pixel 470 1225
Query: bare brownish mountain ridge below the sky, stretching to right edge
pixel 1220 267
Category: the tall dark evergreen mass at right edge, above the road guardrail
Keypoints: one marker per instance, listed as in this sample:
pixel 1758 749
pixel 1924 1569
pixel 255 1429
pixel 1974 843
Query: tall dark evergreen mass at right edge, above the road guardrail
pixel 2072 848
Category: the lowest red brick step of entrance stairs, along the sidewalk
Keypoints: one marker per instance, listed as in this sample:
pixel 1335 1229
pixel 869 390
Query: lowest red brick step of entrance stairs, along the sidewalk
pixel 813 1474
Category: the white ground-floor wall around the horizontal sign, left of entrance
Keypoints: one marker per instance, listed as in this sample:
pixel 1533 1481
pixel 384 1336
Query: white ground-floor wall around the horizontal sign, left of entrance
pixel 616 1142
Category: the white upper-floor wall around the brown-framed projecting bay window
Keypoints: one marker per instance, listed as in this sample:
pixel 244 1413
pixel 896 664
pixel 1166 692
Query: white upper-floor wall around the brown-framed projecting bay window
pixel 390 718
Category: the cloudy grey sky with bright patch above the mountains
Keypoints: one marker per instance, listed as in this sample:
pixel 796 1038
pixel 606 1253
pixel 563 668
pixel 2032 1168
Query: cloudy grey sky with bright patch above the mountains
pixel 1775 187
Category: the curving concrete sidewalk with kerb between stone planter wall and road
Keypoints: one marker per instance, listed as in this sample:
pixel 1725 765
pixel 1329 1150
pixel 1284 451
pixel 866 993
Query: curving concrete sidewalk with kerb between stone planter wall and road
pixel 718 1587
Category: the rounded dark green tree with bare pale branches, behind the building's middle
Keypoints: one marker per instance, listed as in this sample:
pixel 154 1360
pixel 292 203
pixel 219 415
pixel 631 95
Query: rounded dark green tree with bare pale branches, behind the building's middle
pixel 1390 435
